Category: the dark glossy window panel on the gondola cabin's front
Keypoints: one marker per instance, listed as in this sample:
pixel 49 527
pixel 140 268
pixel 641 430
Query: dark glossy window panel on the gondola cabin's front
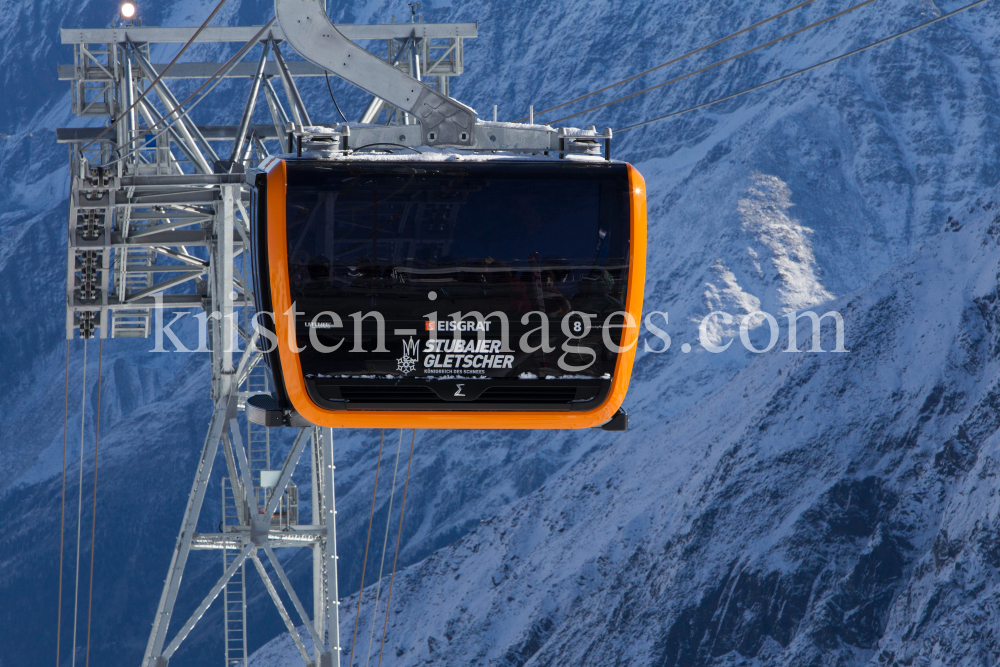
pixel 512 236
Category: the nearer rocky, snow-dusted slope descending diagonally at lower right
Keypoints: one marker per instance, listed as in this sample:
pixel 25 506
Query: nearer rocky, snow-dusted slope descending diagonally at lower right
pixel 836 509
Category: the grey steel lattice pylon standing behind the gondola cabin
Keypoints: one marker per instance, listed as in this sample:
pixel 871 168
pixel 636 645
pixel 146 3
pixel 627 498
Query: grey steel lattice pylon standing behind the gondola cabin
pixel 165 227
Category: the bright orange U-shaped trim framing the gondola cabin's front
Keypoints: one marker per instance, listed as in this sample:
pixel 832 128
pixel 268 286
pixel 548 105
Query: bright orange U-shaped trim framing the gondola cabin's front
pixel 291 367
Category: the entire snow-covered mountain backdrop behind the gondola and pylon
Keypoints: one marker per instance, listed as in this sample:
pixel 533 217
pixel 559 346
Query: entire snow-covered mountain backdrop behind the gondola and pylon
pixel 799 509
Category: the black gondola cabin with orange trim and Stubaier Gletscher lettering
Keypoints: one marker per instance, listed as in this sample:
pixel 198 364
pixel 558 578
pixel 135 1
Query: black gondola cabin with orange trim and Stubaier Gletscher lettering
pixel 449 293
